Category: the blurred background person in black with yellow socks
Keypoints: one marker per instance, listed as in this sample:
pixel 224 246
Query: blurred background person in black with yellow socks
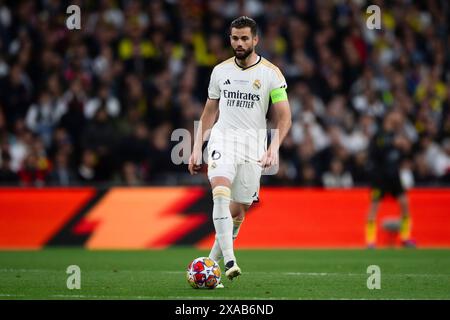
pixel 387 150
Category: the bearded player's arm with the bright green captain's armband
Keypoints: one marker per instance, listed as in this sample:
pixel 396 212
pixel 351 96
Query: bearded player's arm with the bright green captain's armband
pixel 281 113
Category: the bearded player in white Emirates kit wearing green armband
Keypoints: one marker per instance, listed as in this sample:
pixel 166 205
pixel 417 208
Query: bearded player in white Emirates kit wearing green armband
pixel 241 89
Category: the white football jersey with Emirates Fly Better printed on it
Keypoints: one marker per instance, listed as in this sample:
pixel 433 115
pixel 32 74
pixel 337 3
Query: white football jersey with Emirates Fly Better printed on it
pixel 244 98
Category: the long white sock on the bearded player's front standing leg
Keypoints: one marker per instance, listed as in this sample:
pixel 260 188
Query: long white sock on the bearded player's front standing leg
pixel 223 222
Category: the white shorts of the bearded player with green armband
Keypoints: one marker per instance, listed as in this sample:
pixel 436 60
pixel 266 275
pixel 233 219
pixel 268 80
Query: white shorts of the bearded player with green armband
pixel 244 175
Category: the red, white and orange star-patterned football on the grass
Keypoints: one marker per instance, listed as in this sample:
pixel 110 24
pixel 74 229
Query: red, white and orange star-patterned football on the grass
pixel 203 273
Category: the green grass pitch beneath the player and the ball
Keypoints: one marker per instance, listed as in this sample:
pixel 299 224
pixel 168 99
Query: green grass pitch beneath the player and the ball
pixel 267 274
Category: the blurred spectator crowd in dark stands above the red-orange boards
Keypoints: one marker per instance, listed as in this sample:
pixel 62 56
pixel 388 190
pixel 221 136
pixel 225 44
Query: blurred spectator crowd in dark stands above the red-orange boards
pixel 99 104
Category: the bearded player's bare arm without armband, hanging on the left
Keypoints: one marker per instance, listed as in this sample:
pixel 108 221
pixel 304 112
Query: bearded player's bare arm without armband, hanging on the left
pixel 206 122
